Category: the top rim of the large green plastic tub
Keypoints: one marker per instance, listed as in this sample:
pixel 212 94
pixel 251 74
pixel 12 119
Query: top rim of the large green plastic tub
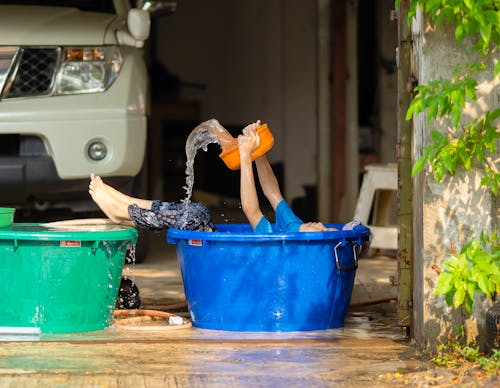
pixel 37 231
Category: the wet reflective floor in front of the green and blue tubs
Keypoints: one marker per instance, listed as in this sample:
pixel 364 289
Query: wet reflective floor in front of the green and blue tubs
pixel 369 346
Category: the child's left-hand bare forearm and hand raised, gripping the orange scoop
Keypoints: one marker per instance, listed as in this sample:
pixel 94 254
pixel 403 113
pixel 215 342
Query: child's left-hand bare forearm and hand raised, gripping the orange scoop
pixel 247 143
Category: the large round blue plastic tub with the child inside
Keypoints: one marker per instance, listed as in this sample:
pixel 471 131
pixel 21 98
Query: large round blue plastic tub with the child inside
pixel 237 280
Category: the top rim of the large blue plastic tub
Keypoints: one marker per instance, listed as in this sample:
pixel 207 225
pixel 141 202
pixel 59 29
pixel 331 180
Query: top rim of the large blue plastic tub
pixel 227 232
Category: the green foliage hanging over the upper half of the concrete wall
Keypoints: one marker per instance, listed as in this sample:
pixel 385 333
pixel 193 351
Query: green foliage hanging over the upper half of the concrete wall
pixel 442 98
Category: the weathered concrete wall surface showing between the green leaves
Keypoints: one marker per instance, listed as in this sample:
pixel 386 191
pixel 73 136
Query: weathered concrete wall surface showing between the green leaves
pixel 451 211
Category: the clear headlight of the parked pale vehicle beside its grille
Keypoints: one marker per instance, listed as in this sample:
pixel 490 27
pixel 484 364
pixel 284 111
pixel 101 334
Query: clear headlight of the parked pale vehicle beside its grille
pixel 87 69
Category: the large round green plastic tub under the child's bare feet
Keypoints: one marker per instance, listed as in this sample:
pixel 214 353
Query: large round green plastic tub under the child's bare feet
pixel 60 280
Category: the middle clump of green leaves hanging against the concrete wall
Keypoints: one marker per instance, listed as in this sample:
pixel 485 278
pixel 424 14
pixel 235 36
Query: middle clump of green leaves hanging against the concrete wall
pixel 478 142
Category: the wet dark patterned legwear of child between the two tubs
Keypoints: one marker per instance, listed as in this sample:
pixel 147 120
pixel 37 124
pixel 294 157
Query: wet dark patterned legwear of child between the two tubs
pixel 164 215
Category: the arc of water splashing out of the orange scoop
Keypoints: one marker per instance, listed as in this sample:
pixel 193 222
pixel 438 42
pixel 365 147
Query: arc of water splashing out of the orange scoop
pixel 206 133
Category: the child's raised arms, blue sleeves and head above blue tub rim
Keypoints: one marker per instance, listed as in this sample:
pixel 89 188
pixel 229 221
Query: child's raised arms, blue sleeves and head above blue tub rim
pixel 286 220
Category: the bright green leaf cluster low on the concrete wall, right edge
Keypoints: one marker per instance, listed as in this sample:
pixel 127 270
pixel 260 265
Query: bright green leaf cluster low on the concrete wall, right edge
pixel 476 269
